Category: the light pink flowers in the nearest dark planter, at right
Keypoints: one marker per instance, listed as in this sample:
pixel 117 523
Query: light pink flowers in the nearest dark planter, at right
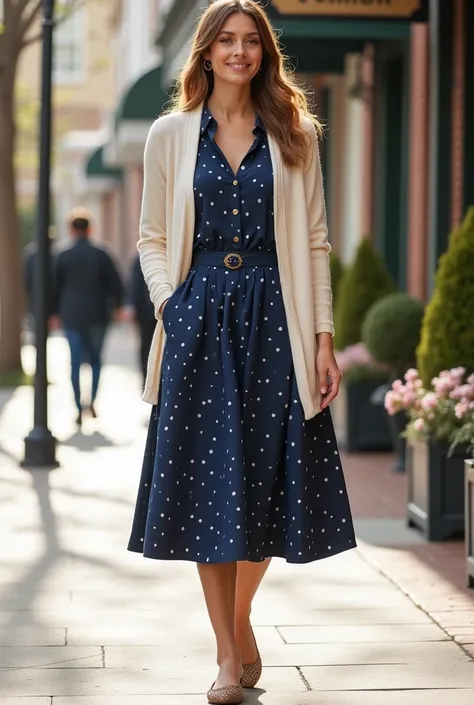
pixel 445 412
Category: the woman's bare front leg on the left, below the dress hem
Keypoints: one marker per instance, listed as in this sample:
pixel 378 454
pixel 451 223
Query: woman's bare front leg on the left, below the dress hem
pixel 218 583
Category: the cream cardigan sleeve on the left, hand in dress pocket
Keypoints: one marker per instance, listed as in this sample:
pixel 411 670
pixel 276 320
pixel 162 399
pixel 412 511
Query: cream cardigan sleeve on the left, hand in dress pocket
pixel 152 242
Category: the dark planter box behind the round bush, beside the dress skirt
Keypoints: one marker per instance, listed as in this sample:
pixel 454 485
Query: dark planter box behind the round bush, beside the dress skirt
pixel 367 427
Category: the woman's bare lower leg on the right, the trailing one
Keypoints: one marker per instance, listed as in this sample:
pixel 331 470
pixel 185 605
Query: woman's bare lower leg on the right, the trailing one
pixel 249 577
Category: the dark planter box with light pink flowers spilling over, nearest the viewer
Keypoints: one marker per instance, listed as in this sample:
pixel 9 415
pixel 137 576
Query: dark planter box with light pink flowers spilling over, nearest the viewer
pixel 435 463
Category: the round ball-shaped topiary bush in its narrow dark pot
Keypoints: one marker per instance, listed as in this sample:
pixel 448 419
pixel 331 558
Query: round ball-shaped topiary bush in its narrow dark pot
pixel 391 333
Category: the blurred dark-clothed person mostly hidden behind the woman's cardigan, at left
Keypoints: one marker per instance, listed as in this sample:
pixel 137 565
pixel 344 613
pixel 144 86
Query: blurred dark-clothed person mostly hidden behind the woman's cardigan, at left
pixel 143 312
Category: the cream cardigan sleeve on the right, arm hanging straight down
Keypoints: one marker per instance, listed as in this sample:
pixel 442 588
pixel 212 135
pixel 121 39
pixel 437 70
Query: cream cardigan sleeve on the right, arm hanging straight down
pixel 318 236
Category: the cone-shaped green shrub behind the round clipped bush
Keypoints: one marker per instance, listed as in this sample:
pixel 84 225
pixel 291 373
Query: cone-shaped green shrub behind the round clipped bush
pixel 362 284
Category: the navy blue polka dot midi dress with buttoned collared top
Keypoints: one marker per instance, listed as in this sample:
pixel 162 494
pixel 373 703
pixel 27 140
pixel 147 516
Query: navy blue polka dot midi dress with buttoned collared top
pixel 232 471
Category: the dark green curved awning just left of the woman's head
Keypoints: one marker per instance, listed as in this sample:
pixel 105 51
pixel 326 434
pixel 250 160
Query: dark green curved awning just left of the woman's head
pixel 143 100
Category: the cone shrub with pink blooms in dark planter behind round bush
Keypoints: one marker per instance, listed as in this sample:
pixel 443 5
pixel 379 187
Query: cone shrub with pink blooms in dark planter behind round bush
pixel 361 427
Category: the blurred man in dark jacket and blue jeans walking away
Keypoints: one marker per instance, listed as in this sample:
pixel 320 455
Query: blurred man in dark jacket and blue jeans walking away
pixel 87 290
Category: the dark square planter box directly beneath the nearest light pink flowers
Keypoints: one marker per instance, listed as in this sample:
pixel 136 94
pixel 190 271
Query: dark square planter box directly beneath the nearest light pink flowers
pixel 435 489
